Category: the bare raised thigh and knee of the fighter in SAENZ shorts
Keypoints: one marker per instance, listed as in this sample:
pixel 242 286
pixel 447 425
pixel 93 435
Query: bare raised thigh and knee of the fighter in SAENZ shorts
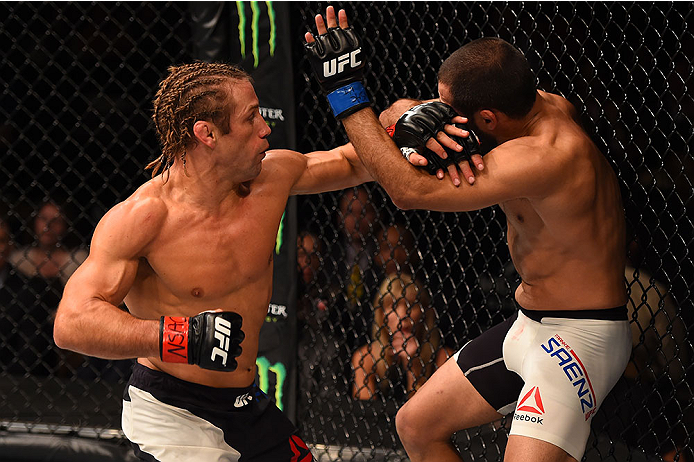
pixel 446 403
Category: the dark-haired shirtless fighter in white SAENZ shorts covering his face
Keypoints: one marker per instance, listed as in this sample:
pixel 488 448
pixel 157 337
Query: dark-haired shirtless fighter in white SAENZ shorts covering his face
pixel 565 231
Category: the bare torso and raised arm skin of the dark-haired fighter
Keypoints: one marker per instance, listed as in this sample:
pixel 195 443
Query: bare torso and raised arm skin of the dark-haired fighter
pixel 560 196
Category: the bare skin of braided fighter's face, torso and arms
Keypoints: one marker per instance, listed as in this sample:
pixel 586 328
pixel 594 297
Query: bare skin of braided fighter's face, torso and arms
pixel 202 240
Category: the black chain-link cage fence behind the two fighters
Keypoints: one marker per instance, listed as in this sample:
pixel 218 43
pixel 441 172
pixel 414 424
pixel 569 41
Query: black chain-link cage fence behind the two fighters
pixel 78 80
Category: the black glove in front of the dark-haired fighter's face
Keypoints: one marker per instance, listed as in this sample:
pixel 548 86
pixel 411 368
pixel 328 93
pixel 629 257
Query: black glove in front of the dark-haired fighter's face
pixel 422 122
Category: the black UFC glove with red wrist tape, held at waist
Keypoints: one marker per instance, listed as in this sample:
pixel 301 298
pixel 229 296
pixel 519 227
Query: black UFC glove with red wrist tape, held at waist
pixel 210 340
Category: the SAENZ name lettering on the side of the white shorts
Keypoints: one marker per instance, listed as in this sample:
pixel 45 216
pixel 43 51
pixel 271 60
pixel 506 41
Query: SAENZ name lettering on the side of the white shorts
pixel 575 371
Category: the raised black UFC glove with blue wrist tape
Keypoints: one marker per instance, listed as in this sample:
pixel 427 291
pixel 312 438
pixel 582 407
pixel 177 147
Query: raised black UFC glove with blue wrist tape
pixel 337 63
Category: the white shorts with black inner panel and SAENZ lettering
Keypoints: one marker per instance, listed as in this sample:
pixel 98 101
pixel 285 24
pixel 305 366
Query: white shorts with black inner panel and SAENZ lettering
pixel 553 368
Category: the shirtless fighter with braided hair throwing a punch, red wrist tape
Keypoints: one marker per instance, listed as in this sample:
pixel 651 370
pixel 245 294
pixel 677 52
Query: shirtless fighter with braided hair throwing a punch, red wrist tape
pixel 190 254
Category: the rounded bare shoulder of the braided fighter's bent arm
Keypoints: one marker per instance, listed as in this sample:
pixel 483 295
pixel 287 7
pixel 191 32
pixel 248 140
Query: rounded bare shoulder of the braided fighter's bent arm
pixel 133 223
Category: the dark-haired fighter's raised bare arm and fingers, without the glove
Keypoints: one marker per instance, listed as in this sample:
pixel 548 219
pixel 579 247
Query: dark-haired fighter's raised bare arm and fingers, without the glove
pixel 510 172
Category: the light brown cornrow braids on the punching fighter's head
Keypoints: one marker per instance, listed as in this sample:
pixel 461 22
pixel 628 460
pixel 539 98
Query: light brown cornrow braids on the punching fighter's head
pixel 191 92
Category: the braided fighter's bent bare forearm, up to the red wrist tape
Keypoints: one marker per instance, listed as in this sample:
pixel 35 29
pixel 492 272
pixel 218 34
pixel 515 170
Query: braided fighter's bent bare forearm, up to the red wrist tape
pixel 98 328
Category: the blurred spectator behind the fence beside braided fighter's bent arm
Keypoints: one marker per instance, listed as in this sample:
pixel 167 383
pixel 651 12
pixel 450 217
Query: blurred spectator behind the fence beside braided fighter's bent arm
pixel 48 257
